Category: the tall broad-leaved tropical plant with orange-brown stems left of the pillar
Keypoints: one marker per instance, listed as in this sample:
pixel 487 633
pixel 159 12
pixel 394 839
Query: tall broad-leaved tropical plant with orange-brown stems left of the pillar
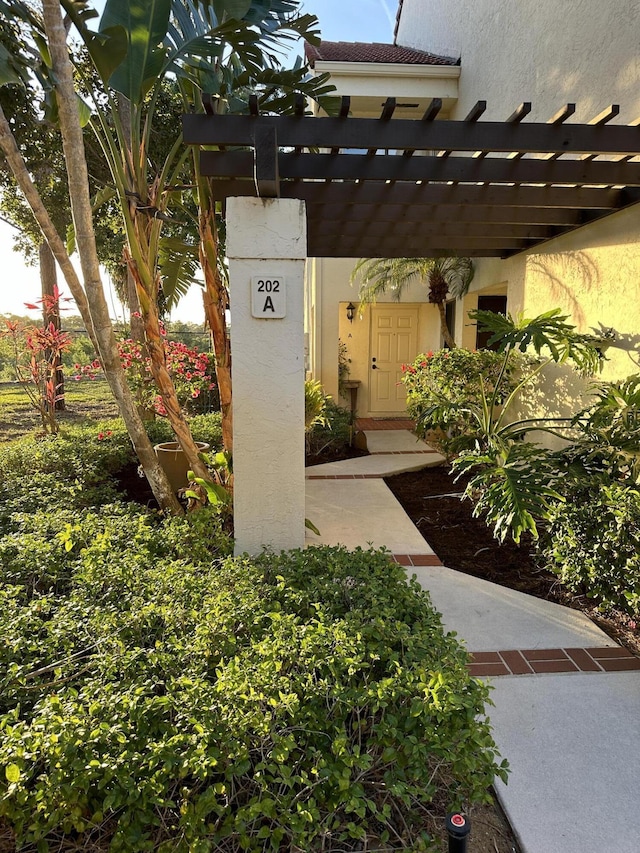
pixel 219 49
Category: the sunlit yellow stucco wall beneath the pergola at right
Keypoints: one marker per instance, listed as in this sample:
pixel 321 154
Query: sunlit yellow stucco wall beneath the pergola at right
pixel 593 275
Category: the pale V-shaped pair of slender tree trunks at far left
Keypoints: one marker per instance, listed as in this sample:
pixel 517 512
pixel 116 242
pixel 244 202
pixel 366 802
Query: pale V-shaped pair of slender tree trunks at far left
pixel 20 65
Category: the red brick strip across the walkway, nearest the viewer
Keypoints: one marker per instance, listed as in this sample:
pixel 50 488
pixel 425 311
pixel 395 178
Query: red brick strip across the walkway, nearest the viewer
pixel 536 661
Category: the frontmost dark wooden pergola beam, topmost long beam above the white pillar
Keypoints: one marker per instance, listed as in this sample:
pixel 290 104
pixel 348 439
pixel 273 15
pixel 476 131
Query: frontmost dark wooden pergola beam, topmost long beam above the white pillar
pixel 402 134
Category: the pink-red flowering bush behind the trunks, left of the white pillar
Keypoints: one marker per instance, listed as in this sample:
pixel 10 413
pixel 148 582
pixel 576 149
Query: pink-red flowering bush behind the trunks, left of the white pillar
pixel 191 371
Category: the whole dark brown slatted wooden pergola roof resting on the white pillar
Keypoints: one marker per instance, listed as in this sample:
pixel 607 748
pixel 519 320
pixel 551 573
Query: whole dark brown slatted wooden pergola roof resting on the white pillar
pixel 425 188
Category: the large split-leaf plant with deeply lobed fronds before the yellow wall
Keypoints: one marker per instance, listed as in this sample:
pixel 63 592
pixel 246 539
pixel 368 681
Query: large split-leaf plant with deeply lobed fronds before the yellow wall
pixel 513 482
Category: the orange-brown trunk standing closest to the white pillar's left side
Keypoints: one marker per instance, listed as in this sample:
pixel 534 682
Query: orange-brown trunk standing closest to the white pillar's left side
pixel 216 303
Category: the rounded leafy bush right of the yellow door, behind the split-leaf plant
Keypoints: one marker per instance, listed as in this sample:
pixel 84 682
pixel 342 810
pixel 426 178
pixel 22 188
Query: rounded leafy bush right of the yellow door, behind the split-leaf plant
pixel 443 387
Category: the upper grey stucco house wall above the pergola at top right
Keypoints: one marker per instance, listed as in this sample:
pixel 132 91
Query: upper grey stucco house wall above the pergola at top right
pixel 549 52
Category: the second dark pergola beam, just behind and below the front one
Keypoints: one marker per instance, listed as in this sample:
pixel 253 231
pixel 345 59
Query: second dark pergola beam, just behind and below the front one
pixel 384 167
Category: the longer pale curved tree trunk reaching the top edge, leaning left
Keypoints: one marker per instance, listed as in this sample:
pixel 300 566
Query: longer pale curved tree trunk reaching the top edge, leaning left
pixel 73 146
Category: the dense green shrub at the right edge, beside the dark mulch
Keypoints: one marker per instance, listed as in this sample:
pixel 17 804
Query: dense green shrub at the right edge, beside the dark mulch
pixel 598 559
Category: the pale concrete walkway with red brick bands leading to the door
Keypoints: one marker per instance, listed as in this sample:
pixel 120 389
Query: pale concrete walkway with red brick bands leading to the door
pixel 567 698
